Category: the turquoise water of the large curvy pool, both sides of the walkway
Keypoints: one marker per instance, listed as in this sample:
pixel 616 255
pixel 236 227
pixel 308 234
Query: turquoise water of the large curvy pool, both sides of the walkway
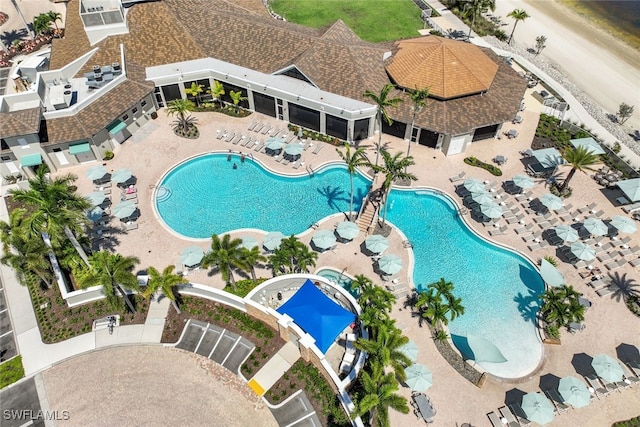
pixel 499 288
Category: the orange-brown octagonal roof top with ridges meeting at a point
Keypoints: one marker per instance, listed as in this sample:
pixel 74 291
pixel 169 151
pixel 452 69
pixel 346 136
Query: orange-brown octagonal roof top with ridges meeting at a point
pixel 449 68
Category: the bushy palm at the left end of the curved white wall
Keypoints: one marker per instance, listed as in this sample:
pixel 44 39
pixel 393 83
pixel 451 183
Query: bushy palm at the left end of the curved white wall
pixel 114 273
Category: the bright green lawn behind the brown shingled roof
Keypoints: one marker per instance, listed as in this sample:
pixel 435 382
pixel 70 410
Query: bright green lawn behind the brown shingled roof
pixel 374 21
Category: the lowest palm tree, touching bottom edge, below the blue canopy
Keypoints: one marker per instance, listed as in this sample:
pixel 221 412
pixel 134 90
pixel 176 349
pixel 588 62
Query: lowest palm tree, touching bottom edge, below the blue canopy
pixel 378 395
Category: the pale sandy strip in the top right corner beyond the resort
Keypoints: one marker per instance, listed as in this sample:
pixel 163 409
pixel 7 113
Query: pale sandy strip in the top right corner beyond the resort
pixel 602 66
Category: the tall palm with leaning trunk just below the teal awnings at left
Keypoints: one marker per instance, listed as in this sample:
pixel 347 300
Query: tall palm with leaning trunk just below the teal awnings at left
pixel 56 208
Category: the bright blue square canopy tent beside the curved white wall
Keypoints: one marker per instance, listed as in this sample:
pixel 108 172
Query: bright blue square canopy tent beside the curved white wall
pixel 317 315
